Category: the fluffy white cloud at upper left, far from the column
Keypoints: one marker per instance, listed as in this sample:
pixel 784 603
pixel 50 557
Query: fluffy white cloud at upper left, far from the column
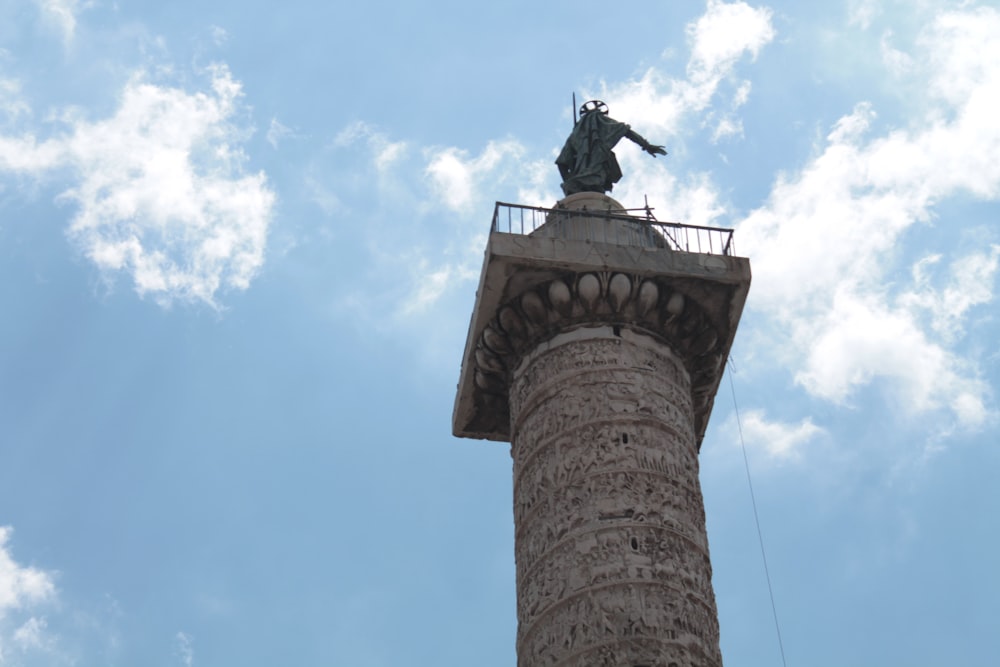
pixel 160 189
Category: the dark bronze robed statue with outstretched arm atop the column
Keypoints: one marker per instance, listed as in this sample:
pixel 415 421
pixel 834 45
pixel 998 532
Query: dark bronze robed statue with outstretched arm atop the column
pixel 587 163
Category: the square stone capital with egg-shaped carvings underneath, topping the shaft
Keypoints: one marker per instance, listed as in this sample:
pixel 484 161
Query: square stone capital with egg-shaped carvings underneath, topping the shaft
pixel 534 286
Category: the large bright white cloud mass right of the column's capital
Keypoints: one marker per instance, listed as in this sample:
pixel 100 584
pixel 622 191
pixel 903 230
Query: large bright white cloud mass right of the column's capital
pixel 823 244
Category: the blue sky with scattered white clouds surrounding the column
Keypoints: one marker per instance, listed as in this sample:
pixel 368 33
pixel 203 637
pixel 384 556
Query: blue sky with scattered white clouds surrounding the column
pixel 239 247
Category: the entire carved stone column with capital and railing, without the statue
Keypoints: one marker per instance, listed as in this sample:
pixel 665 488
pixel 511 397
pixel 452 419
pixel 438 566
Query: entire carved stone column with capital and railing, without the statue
pixel 595 348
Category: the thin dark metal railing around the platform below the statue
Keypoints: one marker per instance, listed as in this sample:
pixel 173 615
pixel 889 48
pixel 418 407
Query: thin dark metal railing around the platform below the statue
pixel 610 227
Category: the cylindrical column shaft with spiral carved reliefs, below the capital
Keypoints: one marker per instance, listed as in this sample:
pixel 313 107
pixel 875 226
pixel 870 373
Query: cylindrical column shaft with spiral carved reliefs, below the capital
pixel 610 542
